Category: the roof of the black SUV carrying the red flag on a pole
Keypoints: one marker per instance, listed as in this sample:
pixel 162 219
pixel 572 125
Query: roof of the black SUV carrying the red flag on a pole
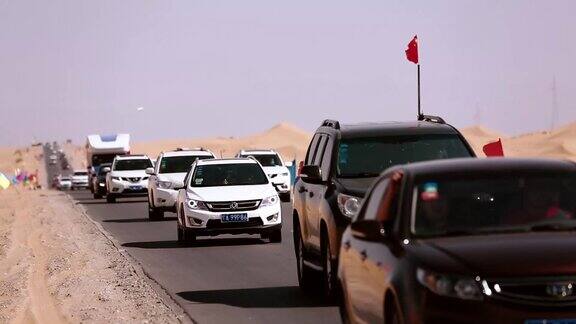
pixel 394 128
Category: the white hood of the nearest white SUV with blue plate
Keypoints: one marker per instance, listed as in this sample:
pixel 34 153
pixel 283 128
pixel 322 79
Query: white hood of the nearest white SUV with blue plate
pixel 231 193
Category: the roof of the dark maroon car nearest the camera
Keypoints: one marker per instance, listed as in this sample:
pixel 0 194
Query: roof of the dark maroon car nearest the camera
pixel 468 166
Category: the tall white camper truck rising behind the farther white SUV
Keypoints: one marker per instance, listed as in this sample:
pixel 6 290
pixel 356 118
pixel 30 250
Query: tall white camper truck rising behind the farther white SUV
pixel 102 149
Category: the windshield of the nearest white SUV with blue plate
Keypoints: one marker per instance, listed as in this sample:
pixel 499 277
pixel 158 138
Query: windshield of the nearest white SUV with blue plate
pixel 240 174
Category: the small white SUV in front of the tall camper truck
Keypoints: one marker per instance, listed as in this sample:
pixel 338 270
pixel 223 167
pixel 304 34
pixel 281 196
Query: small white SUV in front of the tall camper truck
pixel 127 177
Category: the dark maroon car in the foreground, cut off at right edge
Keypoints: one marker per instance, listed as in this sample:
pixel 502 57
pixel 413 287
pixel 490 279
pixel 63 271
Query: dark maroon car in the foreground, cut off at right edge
pixel 464 241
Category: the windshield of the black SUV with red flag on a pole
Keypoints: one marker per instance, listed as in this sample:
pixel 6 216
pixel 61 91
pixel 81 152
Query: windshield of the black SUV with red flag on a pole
pixel 367 157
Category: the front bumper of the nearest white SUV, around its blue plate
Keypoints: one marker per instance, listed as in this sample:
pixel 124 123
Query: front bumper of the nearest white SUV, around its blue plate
pixel 204 222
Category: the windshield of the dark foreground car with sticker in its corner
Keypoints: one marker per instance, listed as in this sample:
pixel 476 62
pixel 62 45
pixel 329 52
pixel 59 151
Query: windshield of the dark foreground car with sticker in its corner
pixel 494 204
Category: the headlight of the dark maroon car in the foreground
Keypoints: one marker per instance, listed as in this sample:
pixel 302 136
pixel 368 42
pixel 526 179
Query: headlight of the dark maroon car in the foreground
pixel 452 286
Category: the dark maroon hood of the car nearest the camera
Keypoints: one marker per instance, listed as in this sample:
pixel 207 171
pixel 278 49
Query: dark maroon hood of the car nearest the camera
pixel 500 255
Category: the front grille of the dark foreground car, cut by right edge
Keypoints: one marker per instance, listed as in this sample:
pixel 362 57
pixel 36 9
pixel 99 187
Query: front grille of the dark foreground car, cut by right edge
pixel 547 291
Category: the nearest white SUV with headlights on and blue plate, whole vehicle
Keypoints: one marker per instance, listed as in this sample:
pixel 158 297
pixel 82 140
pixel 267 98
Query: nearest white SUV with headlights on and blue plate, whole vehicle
pixel 228 196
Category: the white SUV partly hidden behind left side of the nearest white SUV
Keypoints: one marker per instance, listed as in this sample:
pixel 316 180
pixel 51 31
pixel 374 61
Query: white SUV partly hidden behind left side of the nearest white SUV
pixel 169 172
